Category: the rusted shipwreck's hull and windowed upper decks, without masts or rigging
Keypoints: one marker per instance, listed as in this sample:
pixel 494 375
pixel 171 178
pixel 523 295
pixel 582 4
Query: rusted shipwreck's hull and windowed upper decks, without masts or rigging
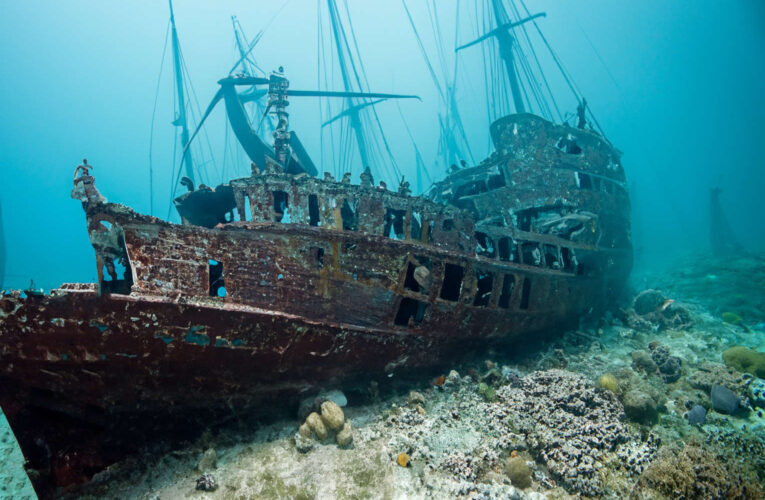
pixel 311 281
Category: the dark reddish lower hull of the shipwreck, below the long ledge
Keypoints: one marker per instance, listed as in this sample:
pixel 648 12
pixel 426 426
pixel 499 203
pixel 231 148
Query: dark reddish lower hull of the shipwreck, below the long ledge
pixel 88 379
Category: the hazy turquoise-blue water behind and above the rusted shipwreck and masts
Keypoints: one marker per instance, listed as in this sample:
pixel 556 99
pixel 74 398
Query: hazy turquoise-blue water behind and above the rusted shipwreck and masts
pixel 676 86
